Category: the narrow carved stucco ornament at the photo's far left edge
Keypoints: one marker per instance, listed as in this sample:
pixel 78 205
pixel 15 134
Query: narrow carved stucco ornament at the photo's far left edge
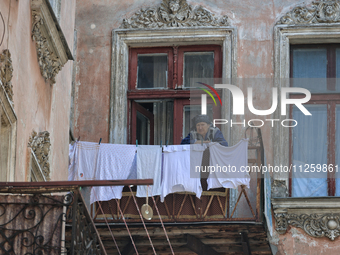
pixel 6 73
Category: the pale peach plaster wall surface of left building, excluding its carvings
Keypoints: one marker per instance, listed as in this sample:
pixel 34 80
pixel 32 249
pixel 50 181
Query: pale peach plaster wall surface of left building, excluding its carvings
pixel 38 105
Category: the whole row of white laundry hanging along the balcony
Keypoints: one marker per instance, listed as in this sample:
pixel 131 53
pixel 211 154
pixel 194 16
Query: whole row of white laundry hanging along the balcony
pixel 173 168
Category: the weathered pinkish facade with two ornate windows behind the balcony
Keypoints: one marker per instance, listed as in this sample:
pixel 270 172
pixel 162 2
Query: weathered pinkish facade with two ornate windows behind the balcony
pixel 262 43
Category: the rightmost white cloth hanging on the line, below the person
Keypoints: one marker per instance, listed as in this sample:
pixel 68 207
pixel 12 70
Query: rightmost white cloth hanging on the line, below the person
pixel 228 165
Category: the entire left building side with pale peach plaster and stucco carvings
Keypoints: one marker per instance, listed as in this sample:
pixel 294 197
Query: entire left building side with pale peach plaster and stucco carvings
pixel 36 75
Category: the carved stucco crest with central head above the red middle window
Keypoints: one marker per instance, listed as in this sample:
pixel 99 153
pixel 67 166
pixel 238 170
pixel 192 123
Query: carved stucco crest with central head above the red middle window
pixel 173 13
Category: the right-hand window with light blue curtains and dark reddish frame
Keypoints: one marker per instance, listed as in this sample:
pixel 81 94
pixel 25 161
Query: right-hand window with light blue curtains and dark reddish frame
pixel 314 140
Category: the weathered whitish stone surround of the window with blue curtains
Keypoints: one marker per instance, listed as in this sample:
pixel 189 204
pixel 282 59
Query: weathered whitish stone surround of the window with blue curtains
pixel 284 36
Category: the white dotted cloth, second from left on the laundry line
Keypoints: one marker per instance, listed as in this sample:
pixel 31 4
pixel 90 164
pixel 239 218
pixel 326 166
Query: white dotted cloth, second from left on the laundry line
pixel 115 162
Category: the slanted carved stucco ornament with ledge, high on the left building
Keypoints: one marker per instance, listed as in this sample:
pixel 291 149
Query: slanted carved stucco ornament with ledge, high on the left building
pixel 52 49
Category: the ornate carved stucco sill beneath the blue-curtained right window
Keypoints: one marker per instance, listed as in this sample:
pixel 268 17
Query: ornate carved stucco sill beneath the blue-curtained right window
pixel 318 217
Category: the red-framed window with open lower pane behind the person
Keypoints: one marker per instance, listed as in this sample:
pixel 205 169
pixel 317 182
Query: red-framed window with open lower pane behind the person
pixel 160 80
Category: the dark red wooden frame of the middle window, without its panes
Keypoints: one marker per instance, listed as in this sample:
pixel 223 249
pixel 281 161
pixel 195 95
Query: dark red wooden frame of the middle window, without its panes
pixel 173 90
